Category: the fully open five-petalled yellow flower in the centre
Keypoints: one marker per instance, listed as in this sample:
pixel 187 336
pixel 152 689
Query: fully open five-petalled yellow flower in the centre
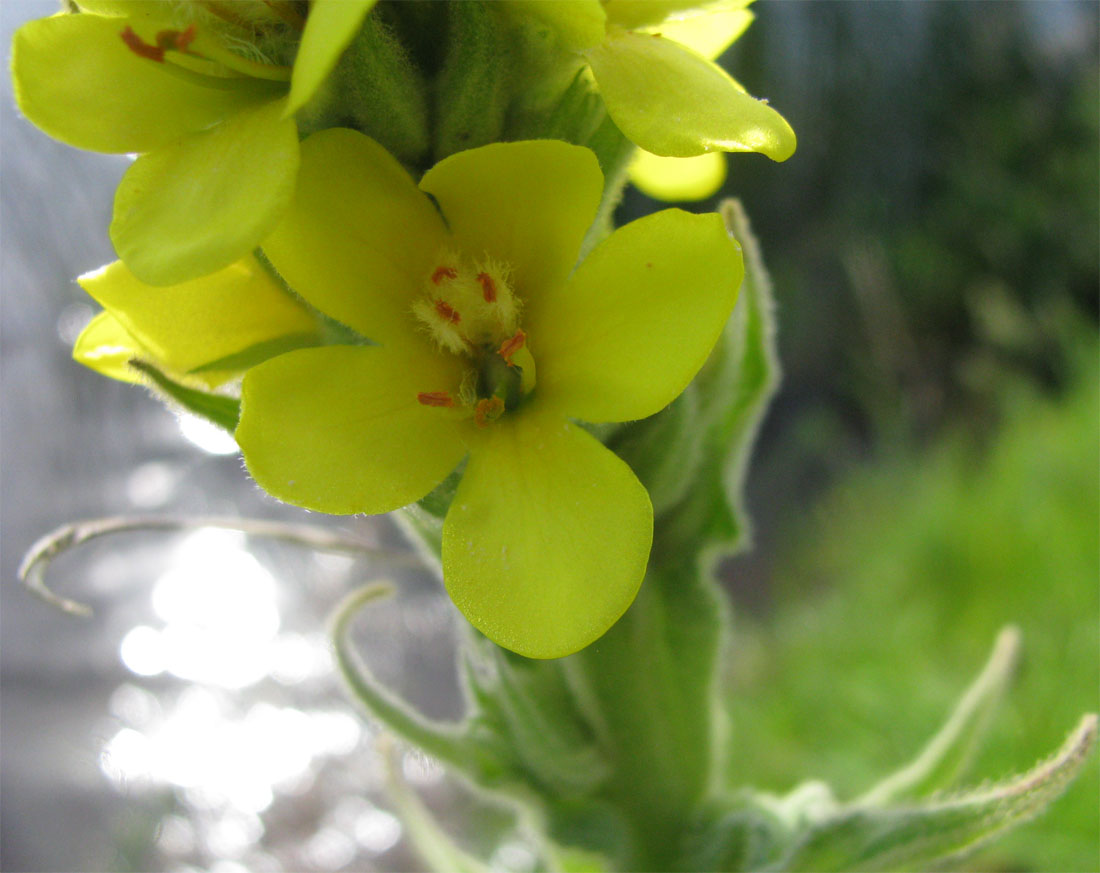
pixel 490 347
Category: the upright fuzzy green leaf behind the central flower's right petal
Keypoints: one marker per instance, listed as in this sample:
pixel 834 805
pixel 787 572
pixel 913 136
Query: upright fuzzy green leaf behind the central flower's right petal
pixel 734 390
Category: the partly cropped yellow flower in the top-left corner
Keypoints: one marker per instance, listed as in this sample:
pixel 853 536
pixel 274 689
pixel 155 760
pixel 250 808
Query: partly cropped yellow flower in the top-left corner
pixel 205 93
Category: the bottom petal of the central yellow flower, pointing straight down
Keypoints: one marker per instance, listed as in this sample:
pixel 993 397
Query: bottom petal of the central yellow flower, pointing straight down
pixel 547 540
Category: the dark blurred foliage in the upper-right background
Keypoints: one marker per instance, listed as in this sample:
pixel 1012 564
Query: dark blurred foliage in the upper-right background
pixel 948 152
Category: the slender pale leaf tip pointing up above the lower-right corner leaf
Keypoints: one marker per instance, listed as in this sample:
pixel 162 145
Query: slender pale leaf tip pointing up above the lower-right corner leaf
pixel 951 752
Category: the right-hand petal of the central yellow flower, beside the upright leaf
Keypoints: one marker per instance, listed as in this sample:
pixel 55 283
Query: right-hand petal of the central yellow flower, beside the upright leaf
pixel 639 319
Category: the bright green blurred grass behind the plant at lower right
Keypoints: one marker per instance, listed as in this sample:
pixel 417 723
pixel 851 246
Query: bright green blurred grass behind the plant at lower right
pixel 894 589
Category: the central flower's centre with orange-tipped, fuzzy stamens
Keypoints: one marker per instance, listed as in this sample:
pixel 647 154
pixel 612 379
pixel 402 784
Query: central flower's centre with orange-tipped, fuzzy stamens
pixel 471 311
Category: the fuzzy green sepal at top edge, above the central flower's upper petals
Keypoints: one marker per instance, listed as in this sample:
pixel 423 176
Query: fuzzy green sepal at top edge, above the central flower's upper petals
pixel 472 89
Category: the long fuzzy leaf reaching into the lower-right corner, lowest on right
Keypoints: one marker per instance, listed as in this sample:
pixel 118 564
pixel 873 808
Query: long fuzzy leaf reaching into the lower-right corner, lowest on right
pixel 874 839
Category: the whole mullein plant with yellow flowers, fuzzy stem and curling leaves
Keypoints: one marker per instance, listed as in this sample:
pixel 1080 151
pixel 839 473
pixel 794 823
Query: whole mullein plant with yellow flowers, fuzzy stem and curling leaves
pixel 375 242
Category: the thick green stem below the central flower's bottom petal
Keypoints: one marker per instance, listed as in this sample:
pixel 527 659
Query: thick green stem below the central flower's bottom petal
pixel 648 689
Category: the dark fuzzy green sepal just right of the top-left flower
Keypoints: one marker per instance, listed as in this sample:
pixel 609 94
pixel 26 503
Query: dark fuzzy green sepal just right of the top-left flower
pixel 383 93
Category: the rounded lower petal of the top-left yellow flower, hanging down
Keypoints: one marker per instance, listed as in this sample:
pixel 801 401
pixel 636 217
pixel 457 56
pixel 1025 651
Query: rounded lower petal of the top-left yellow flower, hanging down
pixel 199 205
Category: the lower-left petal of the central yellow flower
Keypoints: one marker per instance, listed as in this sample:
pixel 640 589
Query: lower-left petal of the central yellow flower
pixel 339 429
